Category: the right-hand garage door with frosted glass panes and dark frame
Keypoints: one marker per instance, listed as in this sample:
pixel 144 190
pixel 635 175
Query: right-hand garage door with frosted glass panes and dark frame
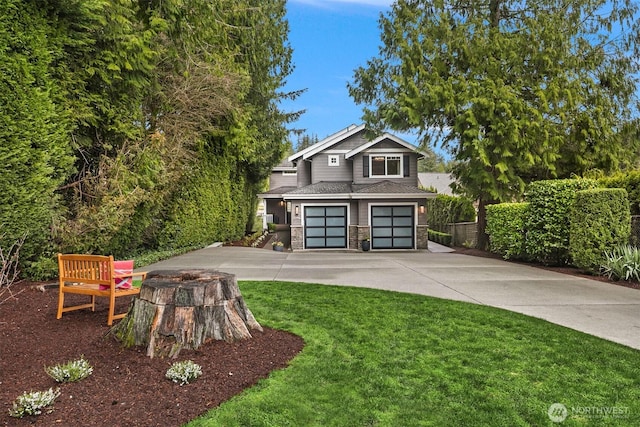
pixel 392 227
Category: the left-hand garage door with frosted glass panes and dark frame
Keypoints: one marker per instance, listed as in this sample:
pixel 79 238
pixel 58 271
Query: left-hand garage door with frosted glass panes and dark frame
pixel 325 227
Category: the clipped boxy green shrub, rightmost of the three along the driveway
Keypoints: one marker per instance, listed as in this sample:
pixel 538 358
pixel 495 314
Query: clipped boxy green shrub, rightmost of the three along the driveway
pixel 600 220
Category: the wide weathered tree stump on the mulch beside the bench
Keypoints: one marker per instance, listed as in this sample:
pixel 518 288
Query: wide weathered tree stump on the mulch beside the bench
pixel 185 309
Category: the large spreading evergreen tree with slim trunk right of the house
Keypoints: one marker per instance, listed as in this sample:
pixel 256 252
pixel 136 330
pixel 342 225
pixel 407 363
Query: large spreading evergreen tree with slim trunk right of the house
pixel 515 90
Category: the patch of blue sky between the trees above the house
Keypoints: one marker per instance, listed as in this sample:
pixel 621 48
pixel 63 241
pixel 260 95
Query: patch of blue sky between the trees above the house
pixel 330 39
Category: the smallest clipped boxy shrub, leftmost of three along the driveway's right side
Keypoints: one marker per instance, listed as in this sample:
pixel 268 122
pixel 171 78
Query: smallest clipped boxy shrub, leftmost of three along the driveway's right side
pixel 505 227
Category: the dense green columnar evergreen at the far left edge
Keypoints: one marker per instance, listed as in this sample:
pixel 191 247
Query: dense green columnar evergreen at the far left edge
pixel 33 130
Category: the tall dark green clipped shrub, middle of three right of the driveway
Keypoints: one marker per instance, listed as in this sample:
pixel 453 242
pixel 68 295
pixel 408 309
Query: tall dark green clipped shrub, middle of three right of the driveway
pixel 547 223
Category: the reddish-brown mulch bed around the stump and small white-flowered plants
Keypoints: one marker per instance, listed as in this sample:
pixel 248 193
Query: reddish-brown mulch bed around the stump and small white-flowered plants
pixel 126 388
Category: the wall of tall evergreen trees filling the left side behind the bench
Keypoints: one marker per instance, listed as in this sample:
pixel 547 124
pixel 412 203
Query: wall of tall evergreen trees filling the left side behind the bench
pixel 168 109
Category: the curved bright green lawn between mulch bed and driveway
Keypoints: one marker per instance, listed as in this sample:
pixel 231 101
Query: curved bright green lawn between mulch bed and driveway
pixel 377 358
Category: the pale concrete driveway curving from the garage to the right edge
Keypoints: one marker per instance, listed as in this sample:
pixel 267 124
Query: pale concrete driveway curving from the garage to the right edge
pixel 604 310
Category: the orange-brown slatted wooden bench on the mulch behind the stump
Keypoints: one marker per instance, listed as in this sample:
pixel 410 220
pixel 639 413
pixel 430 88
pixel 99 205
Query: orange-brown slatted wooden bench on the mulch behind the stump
pixel 86 275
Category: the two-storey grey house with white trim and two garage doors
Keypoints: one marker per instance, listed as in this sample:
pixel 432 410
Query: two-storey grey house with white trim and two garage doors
pixel 345 189
